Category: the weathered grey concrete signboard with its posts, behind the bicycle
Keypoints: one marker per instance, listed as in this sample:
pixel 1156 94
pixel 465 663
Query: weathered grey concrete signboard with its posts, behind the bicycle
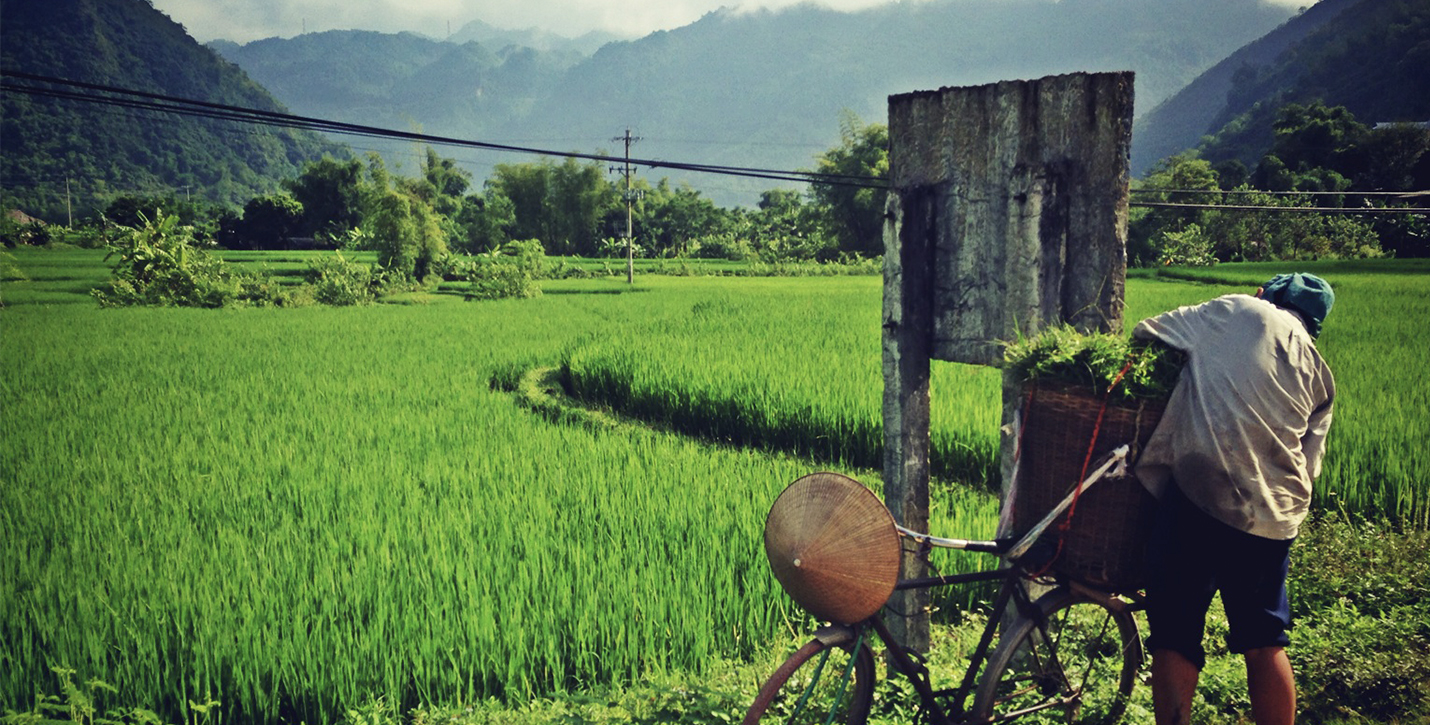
pixel 1007 215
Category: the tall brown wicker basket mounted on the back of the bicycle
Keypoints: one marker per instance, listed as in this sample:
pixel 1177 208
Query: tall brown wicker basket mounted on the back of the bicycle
pixel 1106 543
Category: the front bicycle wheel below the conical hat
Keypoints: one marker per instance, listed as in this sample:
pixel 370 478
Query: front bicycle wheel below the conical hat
pixel 819 684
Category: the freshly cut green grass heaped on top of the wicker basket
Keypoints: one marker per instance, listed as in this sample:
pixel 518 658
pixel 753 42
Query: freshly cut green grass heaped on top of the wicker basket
pixel 1122 367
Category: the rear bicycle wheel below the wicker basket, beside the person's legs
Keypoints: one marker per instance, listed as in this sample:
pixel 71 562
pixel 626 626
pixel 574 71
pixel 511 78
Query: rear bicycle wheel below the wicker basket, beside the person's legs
pixel 1078 666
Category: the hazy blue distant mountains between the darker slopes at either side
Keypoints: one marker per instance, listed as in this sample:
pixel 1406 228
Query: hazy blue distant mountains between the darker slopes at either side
pixel 763 89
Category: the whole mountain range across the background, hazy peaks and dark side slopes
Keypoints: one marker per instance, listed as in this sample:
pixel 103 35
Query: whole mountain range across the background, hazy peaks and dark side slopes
pixel 759 89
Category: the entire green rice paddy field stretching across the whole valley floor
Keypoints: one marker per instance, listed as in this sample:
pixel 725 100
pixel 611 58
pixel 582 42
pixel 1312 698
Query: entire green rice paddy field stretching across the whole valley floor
pixel 294 511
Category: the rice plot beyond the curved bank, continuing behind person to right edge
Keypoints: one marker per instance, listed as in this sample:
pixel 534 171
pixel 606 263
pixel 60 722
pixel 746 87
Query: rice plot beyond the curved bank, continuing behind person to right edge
pixel 809 378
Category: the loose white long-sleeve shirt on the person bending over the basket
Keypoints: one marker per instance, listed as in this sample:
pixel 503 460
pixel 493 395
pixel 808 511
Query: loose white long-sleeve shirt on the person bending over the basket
pixel 1245 430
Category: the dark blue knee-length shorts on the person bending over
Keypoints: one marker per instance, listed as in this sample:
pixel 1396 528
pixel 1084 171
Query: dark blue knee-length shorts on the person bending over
pixel 1190 558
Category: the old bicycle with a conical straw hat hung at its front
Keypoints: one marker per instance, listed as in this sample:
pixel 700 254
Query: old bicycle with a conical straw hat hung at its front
pixel 1070 656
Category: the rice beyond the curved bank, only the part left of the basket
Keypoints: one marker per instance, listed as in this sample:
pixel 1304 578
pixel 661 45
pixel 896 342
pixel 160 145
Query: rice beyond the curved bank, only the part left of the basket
pixel 792 365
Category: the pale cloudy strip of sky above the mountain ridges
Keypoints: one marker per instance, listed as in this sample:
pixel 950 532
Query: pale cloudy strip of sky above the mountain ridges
pixel 245 21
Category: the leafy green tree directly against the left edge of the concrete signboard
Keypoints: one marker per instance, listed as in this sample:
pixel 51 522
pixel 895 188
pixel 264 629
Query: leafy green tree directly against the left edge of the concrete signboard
pixel 854 215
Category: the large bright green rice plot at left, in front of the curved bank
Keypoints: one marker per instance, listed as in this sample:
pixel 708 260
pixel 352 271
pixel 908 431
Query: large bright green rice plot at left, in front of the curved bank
pixel 295 510
